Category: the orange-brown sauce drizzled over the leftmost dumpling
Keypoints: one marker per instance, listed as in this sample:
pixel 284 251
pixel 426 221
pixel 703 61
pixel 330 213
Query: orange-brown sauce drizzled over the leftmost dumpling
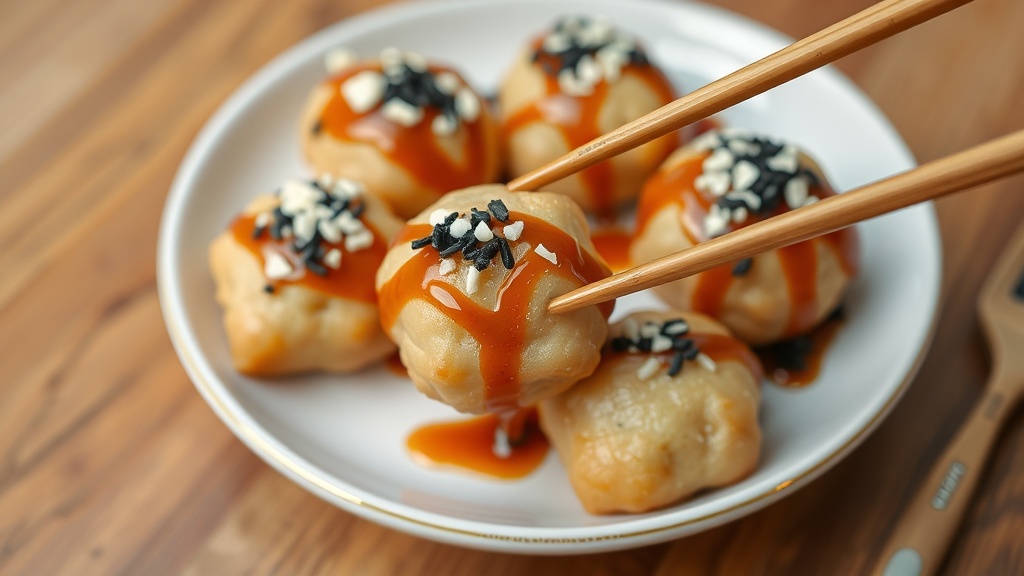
pixel 355 280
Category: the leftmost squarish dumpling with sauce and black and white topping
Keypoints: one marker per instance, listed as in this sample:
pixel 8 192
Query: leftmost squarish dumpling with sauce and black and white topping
pixel 295 275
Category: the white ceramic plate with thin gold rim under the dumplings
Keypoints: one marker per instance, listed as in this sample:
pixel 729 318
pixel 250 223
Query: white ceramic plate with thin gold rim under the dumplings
pixel 344 438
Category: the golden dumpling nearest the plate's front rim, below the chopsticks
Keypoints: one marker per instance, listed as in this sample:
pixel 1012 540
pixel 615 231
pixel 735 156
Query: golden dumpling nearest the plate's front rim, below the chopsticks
pixel 672 409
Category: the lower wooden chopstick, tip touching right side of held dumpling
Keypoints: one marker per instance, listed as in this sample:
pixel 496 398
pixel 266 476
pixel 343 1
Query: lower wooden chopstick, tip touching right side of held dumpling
pixel 974 167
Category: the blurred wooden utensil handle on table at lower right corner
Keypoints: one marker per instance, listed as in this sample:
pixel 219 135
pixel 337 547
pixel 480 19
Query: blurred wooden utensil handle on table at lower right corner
pixel 920 541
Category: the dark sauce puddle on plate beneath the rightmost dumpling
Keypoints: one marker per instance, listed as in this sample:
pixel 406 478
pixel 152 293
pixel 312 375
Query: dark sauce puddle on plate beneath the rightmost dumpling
pixel 795 365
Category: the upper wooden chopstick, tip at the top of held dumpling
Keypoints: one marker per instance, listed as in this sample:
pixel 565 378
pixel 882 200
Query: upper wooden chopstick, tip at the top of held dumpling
pixel 864 29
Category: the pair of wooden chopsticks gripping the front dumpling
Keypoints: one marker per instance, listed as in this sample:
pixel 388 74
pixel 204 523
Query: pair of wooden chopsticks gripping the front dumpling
pixel 957 173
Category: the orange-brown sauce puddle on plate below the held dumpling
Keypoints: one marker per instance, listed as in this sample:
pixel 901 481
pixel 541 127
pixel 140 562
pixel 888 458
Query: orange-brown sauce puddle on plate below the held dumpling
pixel 470 444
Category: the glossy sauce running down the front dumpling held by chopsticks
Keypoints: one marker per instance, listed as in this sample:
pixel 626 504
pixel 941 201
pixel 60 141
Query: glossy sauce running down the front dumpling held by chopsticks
pixel 501 333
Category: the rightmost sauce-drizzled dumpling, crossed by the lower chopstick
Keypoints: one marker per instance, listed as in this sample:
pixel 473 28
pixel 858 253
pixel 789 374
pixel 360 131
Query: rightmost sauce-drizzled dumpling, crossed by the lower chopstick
pixel 726 181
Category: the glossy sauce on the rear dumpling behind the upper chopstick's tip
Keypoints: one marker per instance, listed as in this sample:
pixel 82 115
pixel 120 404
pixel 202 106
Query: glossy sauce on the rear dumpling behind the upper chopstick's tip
pixel 577 118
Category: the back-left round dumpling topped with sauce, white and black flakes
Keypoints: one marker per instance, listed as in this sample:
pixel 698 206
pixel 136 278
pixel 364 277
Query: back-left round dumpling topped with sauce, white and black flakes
pixel 408 129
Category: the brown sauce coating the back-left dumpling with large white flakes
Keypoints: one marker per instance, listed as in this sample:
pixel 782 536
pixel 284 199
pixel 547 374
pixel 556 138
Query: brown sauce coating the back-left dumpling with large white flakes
pixel 414 149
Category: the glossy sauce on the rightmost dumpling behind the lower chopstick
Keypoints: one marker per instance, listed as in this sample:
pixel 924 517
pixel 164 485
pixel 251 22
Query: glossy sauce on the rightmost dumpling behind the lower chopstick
pixel 799 263
